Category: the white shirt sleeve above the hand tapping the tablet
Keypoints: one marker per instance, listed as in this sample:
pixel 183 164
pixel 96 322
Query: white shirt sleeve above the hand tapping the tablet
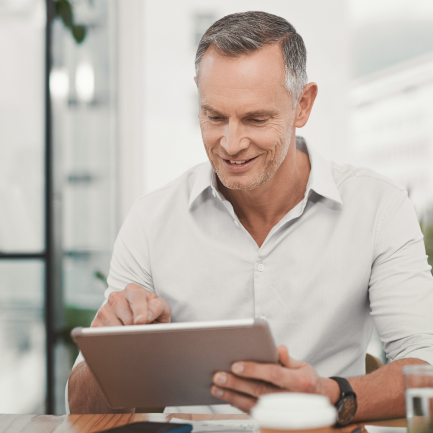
pixel 130 262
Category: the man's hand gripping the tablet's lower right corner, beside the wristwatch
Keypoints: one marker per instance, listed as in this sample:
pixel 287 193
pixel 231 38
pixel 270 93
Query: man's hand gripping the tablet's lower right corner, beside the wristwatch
pixel 249 380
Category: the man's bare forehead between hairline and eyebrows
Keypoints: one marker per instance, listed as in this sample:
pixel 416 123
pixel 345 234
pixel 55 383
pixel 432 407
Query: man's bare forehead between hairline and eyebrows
pixel 257 78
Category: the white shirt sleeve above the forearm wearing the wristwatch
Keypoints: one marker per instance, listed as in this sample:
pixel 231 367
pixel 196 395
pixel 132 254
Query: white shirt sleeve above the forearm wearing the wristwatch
pixel 401 284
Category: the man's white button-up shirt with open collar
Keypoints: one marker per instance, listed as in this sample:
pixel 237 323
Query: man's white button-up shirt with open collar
pixel 349 256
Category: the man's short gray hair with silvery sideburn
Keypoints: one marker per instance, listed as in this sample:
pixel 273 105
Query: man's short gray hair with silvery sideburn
pixel 245 32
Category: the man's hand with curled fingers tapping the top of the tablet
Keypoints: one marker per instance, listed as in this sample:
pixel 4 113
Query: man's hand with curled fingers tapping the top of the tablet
pixel 133 306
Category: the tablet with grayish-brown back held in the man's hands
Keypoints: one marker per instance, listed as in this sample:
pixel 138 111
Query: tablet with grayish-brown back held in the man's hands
pixel 170 364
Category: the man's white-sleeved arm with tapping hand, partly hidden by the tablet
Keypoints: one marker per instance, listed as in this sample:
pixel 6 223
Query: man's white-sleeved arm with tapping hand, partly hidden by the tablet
pixel 125 304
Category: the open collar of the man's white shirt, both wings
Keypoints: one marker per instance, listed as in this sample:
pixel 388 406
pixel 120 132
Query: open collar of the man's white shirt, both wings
pixel 321 180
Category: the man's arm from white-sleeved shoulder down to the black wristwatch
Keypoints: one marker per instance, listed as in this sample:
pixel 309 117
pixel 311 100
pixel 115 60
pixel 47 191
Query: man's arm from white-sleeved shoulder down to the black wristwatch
pixel 401 300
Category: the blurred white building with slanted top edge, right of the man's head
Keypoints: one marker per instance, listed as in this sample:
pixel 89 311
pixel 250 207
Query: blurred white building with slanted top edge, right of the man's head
pixel 391 126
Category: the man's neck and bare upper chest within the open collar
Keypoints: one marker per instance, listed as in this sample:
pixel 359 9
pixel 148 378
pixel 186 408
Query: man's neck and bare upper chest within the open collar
pixel 262 208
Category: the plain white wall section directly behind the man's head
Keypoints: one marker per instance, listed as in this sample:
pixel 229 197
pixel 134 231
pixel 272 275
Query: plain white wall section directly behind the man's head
pixel 172 140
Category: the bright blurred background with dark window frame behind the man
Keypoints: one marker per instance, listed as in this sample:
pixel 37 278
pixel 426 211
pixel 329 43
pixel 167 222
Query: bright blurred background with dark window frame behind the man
pixel 98 106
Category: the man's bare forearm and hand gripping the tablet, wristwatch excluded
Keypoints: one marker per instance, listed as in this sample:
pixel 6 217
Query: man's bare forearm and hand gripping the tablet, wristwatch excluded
pixel 380 394
